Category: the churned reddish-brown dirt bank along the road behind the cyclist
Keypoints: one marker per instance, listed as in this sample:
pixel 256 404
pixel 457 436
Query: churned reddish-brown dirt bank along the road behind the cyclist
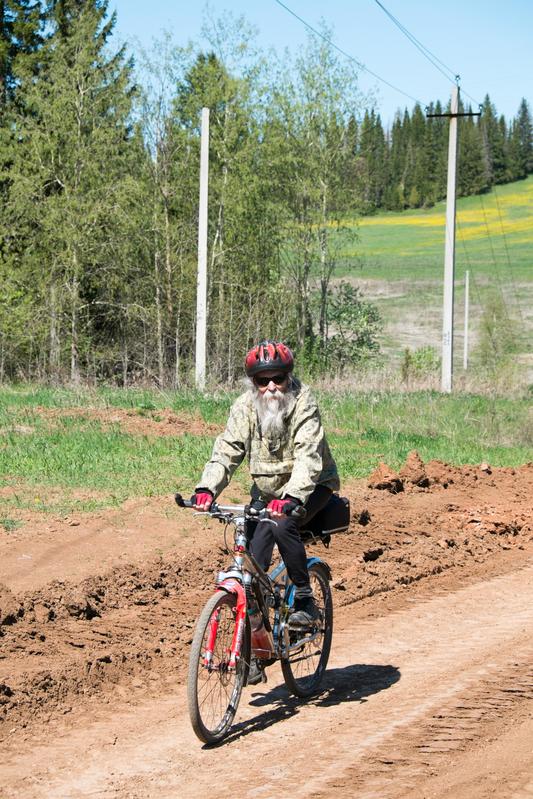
pixel 66 641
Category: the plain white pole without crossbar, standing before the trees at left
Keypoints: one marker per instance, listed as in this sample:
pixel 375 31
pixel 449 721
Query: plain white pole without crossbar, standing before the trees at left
pixel 201 284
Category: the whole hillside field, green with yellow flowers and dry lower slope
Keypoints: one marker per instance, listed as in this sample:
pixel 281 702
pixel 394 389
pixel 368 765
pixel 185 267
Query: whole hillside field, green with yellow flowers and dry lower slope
pixel 397 259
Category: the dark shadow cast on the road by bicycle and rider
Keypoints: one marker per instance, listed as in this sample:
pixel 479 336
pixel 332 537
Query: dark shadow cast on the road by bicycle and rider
pixel 353 683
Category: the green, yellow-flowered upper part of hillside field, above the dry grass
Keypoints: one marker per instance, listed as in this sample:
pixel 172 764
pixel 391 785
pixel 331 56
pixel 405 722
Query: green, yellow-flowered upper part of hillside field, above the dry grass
pixel 494 239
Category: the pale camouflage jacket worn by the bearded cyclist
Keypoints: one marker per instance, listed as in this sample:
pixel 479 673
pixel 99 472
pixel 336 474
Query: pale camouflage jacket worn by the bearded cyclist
pixel 292 463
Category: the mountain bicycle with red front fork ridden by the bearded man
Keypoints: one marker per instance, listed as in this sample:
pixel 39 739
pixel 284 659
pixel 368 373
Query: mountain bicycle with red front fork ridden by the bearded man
pixel 247 617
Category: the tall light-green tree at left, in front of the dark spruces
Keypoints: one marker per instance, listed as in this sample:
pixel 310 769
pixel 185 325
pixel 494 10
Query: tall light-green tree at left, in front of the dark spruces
pixel 68 160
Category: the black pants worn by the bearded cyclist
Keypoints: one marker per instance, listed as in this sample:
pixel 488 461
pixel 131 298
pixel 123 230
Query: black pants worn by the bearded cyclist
pixel 285 534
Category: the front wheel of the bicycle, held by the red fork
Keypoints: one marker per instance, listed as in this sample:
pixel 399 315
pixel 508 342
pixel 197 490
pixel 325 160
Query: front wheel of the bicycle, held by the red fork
pixel 213 689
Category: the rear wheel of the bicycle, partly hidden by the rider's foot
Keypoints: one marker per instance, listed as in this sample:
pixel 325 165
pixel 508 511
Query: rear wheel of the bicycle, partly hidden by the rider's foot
pixel 304 668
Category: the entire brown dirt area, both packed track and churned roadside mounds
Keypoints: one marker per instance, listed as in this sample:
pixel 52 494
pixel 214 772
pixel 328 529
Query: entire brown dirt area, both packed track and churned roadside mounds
pixel 428 690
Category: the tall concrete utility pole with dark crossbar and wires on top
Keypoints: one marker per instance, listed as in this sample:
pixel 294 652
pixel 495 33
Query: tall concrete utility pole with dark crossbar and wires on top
pixel 449 245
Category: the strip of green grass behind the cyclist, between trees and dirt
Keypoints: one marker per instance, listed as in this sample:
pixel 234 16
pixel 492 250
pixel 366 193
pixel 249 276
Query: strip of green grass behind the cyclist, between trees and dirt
pixel 78 465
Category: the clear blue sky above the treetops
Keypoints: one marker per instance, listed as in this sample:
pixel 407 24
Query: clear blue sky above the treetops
pixel 489 43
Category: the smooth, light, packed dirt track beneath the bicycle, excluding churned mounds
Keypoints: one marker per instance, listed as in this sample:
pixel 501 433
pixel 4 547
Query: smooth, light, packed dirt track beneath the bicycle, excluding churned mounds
pixel 403 694
